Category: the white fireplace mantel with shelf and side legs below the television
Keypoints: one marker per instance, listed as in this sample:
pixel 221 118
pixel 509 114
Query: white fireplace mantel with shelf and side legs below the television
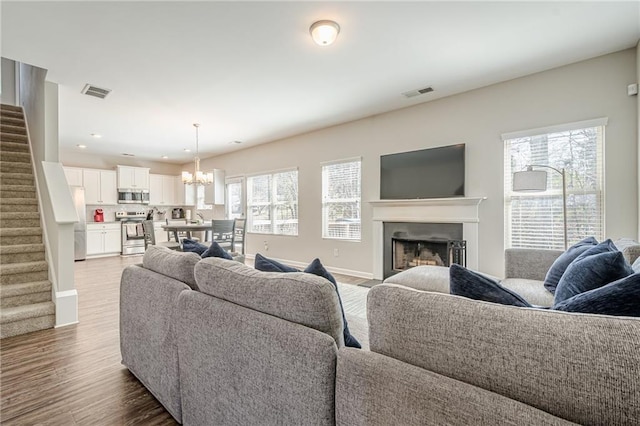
pixel 463 210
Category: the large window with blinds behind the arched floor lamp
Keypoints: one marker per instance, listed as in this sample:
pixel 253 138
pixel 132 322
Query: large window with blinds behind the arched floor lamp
pixel 535 220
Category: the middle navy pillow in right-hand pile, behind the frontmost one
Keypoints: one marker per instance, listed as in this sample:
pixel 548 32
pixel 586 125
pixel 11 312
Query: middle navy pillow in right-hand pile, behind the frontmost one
pixel 591 272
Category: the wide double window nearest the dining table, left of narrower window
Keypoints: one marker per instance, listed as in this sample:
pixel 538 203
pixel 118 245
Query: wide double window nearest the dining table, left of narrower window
pixel 272 203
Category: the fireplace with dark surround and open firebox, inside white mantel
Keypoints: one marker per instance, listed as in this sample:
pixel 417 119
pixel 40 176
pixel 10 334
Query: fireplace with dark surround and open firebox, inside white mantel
pixel 409 244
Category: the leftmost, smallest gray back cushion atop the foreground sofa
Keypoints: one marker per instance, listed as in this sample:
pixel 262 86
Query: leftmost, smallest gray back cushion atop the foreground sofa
pixel 174 264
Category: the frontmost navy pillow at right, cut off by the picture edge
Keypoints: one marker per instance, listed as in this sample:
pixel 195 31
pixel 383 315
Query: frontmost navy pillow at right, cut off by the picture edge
pixel 621 298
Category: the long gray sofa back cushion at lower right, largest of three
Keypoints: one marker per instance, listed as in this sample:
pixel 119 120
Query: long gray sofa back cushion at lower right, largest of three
pixel 580 367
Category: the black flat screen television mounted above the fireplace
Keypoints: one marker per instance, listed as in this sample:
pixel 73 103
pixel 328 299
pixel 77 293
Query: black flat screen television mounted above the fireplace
pixel 426 173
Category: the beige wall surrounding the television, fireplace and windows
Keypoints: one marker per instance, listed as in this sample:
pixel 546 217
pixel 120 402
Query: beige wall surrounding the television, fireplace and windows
pixel 589 89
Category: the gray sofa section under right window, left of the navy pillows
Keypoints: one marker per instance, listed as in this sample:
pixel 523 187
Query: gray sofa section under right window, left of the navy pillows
pixel 531 264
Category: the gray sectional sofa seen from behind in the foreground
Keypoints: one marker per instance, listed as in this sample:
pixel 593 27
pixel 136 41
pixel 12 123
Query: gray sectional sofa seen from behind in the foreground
pixel 217 342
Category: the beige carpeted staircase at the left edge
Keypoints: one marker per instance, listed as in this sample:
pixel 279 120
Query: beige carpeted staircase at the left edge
pixel 25 290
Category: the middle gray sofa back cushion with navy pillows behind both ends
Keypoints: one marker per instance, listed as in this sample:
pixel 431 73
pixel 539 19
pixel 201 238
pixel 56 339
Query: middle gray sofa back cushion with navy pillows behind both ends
pixel 296 296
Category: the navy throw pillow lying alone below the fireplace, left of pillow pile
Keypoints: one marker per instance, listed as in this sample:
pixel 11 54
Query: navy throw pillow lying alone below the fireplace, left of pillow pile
pixel 472 285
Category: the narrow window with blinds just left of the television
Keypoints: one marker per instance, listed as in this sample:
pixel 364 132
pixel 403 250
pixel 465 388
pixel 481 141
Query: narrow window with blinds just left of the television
pixel 341 183
